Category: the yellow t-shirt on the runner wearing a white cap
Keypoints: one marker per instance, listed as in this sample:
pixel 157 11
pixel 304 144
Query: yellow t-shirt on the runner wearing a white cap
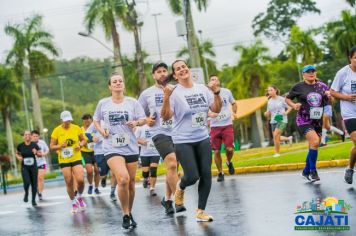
pixel 71 137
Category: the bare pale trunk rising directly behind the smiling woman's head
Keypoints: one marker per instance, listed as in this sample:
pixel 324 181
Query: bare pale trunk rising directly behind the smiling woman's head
pixel 193 44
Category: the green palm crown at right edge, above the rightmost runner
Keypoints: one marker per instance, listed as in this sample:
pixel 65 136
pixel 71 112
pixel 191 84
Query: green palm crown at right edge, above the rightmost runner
pixel 343 32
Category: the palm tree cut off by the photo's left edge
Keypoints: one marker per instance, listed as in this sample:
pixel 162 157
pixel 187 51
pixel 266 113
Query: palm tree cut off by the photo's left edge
pixel 9 101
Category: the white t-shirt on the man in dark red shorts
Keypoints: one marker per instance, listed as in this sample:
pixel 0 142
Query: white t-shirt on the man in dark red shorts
pixel 224 117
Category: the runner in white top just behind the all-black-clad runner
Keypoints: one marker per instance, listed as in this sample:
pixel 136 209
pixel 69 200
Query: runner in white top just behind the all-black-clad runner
pixel 41 161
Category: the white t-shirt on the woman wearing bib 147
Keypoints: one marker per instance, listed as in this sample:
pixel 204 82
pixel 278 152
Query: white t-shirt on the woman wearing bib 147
pixel 121 138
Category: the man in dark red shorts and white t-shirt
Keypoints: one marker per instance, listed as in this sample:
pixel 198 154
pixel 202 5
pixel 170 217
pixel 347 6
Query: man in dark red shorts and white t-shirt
pixel 222 130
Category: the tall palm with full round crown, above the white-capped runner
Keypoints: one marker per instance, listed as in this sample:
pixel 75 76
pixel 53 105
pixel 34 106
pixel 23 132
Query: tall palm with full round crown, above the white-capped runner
pixel 29 51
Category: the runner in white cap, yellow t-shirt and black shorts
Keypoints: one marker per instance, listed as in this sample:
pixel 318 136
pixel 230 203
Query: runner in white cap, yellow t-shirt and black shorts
pixel 67 139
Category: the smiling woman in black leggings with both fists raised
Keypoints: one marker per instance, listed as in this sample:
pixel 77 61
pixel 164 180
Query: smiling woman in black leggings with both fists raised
pixel 188 104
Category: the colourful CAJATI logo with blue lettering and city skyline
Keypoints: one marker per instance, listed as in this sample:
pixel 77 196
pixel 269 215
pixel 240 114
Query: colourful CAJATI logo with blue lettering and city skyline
pixel 329 214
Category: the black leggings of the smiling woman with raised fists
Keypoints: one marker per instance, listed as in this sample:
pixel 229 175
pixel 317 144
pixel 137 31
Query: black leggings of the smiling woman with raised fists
pixel 195 159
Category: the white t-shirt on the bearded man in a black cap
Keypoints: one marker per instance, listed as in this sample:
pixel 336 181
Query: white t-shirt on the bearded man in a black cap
pixel 151 100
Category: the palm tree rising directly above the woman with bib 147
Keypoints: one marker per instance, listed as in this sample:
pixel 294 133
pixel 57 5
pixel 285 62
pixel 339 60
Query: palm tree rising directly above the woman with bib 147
pixel 105 13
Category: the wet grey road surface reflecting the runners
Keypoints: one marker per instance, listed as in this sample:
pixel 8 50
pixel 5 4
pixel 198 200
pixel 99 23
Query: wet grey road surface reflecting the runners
pixel 253 204
